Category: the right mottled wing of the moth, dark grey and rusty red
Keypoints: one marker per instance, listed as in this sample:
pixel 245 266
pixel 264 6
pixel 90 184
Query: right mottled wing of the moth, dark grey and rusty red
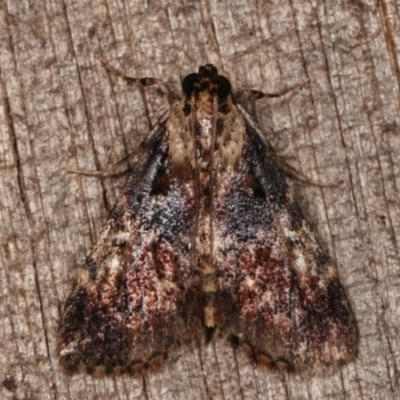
pixel 278 292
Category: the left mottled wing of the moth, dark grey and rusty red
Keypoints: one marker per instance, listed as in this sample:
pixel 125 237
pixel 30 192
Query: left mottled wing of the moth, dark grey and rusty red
pixel 137 291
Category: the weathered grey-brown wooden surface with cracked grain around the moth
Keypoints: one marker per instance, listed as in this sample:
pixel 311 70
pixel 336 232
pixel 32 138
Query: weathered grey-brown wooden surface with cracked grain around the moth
pixel 60 110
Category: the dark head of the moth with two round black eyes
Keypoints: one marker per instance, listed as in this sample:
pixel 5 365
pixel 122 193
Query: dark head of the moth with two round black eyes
pixel 206 79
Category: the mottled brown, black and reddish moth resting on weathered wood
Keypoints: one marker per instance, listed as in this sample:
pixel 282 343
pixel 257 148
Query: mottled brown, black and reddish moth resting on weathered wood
pixel 206 236
